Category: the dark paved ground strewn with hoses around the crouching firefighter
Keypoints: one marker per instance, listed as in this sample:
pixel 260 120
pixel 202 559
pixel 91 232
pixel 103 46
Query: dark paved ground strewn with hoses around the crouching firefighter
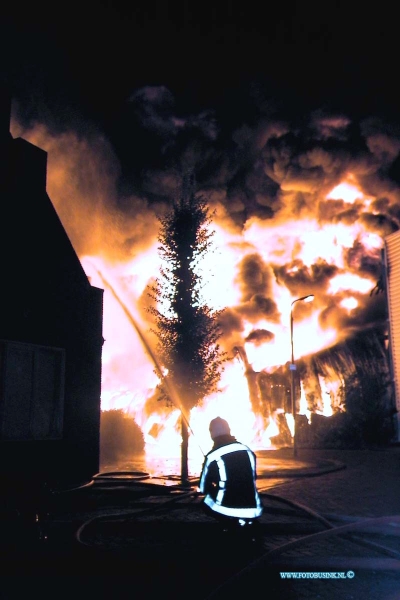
pixel 140 535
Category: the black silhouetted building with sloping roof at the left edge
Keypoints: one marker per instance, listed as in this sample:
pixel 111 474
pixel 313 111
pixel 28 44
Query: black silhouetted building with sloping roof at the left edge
pixel 50 331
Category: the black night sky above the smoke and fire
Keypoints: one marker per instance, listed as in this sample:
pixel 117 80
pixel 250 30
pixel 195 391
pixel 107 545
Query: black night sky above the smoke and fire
pixel 154 76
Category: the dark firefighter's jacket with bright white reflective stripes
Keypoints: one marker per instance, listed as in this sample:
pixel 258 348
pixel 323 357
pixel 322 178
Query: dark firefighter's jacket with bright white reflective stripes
pixel 228 480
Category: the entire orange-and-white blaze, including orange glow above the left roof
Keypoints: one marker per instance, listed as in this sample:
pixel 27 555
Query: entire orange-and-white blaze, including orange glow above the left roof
pixel 255 273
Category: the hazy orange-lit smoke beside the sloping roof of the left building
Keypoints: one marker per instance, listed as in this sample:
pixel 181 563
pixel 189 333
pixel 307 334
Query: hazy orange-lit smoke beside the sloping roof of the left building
pixel 82 178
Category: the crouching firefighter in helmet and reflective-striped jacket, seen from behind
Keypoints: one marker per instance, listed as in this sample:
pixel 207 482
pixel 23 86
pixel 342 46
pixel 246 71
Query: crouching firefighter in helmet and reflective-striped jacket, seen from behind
pixel 228 480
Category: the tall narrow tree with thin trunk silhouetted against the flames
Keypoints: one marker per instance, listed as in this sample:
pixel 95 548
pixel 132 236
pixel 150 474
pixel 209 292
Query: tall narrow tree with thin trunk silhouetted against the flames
pixel 187 329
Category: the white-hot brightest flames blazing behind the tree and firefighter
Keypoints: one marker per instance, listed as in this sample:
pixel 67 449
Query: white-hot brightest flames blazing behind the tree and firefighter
pixel 129 379
